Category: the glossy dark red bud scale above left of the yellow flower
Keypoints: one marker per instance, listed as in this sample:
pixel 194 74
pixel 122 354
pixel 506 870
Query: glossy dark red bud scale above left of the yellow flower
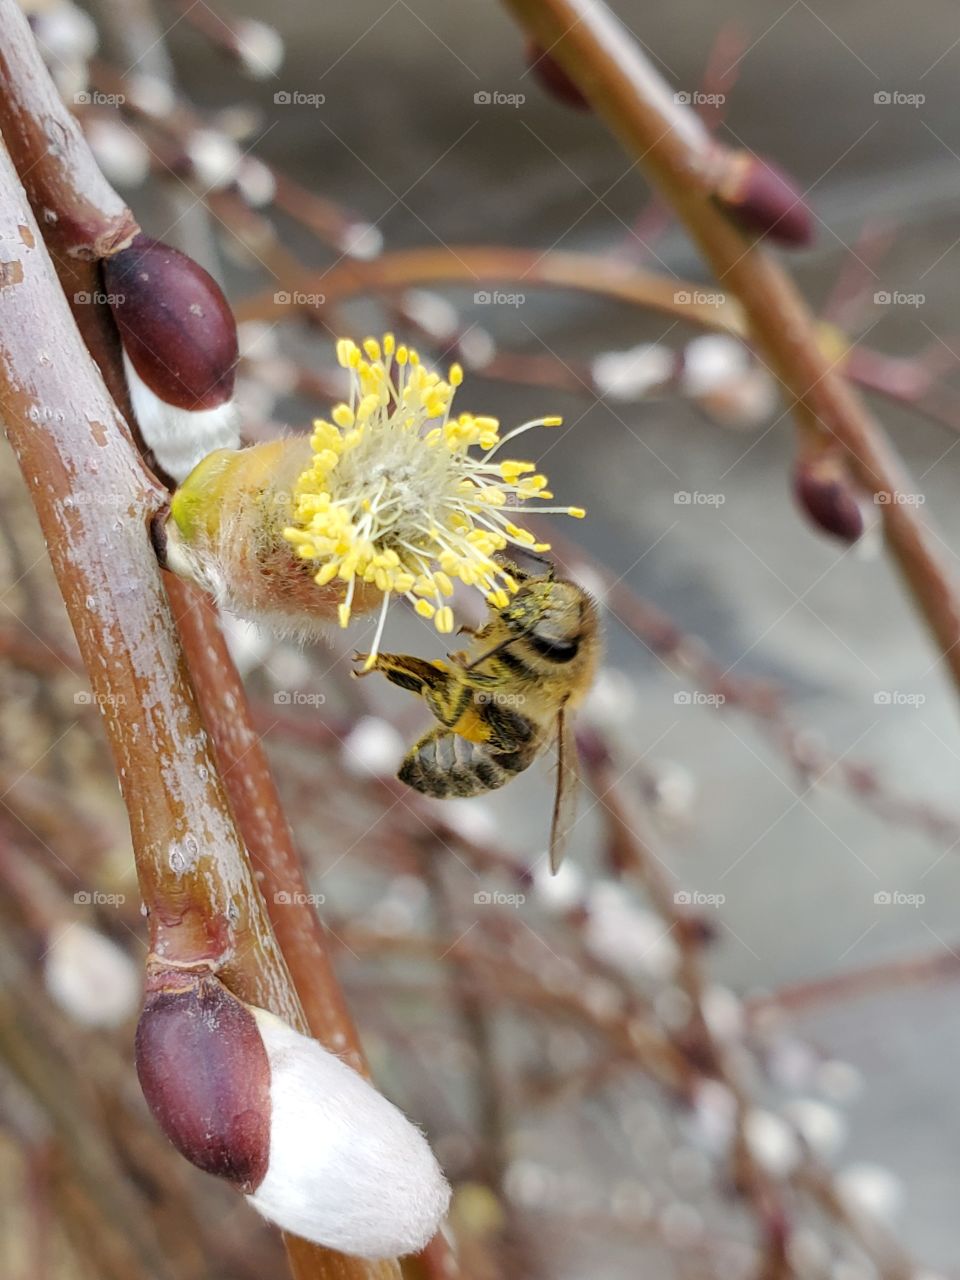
pixel 176 324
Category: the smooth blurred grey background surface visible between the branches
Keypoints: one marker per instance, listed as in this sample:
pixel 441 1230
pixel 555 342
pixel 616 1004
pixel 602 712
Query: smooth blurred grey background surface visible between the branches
pixel 401 140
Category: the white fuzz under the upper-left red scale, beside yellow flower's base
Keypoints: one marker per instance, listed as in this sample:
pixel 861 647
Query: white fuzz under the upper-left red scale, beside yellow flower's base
pixel 180 437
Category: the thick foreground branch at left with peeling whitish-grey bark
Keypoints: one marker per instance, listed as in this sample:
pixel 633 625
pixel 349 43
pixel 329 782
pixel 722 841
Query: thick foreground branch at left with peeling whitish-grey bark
pixel 72 445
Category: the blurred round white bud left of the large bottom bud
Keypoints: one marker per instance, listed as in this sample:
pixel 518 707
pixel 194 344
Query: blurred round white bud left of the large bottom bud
pixel 92 979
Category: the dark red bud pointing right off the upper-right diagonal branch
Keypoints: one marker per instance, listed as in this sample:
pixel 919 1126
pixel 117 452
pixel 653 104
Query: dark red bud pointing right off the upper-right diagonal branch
pixel 765 199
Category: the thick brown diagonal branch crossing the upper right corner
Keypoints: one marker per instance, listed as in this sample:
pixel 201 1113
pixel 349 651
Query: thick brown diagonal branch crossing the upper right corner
pixel 628 93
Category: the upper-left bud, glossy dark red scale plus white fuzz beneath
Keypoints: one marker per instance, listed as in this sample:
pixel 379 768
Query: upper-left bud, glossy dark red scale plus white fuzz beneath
pixel 180 351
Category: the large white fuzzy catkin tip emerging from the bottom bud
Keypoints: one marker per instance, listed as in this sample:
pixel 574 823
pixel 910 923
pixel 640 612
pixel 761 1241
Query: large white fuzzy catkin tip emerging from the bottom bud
pixel 348 1169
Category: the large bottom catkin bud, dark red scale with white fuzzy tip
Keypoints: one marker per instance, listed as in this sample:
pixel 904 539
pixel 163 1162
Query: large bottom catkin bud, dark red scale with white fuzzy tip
pixel 316 1149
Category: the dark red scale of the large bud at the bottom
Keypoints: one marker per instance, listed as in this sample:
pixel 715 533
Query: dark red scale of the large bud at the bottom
pixel 205 1076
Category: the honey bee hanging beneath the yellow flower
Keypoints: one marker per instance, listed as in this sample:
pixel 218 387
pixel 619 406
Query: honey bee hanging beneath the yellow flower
pixel 500 705
